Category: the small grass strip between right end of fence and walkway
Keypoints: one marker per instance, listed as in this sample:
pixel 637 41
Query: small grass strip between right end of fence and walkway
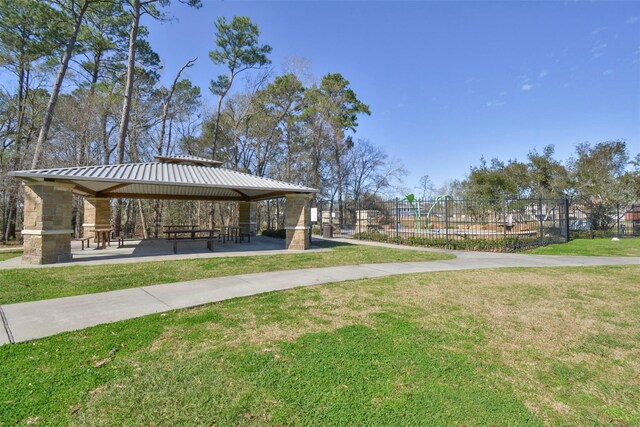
pixel 593 247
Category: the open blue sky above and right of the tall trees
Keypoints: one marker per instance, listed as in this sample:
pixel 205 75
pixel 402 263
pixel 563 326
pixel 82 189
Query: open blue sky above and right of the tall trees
pixel 449 82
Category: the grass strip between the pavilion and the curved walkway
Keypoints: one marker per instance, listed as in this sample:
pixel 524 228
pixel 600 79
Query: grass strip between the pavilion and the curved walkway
pixel 20 285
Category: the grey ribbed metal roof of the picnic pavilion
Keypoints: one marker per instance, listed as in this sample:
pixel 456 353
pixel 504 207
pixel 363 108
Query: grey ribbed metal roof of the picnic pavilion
pixel 175 177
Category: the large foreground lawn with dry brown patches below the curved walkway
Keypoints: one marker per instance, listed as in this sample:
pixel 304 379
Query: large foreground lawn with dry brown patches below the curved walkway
pixel 494 347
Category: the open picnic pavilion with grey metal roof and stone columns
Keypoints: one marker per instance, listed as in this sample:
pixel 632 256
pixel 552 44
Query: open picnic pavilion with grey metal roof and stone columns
pixel 48 198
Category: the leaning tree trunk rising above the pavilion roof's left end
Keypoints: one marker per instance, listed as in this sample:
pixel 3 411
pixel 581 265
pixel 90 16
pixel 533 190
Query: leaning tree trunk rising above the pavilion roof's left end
pixel 55 91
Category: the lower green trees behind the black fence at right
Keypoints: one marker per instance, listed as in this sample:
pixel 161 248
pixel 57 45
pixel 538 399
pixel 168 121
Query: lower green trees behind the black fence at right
pixel 602 173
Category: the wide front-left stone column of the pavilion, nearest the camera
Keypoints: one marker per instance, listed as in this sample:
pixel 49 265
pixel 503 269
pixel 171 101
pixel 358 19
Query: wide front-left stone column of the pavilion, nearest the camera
pixel 47 222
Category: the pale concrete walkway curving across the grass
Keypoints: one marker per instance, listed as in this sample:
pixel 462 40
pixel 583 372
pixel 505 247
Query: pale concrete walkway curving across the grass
pixel 38 319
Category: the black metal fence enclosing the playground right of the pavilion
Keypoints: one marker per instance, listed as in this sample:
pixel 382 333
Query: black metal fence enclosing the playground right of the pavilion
pixel 505 225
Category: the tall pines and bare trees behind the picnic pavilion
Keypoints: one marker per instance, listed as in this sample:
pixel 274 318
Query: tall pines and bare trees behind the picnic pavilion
pixel 81 85
